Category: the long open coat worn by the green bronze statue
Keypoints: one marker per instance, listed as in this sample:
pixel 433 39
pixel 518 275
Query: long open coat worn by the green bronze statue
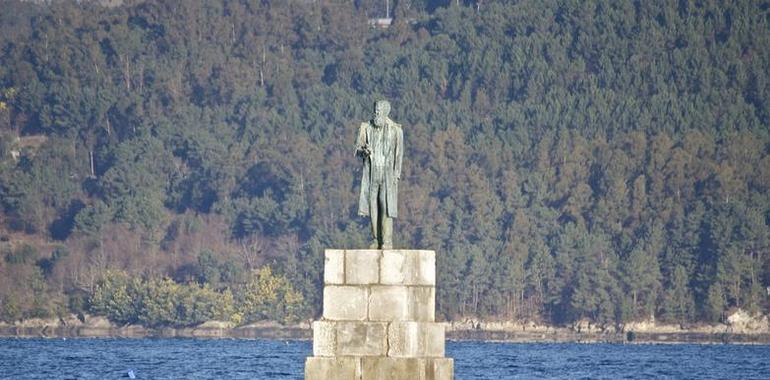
pixel 394 151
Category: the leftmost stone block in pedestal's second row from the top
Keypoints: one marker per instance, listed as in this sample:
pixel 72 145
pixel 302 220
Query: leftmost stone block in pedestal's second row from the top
pixel 345 303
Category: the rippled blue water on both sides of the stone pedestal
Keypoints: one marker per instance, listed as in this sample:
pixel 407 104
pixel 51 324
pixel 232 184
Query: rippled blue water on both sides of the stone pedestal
pixel 268 359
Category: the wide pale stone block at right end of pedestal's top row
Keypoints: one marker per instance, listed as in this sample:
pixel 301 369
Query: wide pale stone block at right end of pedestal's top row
pixel 408 267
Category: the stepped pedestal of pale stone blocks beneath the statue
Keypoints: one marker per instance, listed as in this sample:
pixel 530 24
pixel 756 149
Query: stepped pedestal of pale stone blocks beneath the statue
pixel 379 318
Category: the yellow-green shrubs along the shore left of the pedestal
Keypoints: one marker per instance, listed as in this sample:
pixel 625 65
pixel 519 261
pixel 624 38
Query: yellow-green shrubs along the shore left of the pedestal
pixel 163 302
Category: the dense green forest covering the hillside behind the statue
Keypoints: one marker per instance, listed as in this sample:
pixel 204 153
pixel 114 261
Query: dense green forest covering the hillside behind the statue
pixel 171 162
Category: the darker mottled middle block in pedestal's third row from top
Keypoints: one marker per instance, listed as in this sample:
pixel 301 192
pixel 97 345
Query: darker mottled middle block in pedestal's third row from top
pixel 362 339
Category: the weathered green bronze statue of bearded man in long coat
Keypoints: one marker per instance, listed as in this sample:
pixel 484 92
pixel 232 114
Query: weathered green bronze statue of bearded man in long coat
pixel 380 144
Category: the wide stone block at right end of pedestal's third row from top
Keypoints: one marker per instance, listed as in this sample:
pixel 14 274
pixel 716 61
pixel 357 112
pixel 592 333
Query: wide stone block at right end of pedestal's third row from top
pixel 416 339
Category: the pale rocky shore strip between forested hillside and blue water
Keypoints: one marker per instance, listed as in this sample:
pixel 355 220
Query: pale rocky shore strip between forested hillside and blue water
pixel 740 327
